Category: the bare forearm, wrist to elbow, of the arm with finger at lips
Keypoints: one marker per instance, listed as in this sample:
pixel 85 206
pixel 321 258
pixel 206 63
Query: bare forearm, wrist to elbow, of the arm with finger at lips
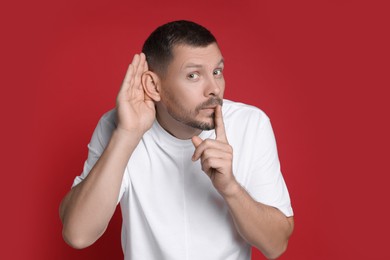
pixel 262 226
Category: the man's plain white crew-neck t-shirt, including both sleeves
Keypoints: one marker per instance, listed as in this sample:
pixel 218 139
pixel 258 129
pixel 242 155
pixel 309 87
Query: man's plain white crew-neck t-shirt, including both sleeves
pixel 169 206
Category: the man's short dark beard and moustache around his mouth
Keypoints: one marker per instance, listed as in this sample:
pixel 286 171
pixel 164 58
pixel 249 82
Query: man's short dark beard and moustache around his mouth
pixel 180 113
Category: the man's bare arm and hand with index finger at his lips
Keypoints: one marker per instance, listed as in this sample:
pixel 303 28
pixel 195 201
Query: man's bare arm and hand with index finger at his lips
pixel 262 226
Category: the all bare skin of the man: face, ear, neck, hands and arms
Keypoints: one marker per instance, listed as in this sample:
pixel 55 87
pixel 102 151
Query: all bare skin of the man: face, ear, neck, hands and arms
pixel 185 101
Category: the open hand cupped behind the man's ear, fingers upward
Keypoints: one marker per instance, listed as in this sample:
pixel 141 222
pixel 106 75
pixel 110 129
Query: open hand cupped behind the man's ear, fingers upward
pixel 135 110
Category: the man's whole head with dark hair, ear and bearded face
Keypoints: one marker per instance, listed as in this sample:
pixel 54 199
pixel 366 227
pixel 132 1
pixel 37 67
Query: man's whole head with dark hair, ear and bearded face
pixel 185 77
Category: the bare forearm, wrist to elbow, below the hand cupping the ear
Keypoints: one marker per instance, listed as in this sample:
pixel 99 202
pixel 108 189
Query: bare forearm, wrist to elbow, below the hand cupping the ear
pixel 88 207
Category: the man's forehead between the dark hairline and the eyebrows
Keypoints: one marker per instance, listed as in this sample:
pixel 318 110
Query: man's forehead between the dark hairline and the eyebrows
pixel 208 56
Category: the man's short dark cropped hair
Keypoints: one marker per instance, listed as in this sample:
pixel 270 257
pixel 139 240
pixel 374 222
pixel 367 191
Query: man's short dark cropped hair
pixel 159 45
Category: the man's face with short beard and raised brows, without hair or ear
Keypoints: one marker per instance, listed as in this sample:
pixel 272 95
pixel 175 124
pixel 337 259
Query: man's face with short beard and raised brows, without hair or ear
pixel 193 85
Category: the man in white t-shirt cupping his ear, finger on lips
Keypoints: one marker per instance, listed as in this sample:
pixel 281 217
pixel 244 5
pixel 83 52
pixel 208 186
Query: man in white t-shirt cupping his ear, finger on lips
pixel 195 179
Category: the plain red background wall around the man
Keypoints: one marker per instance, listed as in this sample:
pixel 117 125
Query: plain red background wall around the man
pixel 319 69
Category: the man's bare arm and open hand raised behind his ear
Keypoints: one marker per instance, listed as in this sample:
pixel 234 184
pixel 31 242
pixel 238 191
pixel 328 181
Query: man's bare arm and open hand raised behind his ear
pixel 87 209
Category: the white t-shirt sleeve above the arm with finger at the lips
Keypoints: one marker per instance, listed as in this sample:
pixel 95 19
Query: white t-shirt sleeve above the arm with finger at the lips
pixel 266 183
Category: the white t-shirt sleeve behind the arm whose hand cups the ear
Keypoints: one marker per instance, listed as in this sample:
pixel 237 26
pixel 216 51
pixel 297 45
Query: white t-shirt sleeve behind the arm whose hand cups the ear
pixel 100 138
